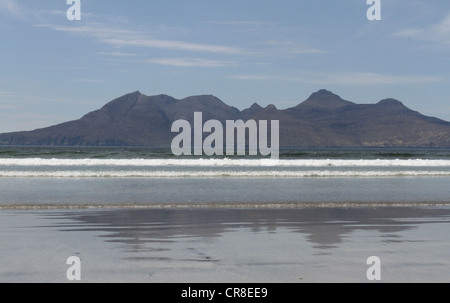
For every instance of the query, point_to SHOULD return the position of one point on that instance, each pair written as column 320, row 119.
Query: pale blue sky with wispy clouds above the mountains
column 277, row 52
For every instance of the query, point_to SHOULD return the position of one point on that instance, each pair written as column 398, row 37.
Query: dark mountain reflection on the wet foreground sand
column 325, row 228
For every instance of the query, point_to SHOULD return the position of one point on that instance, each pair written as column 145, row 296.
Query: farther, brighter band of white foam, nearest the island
column 225, row 162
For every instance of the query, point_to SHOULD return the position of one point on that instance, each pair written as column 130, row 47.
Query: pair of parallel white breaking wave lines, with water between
column 220, row 168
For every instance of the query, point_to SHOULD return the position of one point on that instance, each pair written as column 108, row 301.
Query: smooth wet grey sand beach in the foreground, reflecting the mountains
column 320, row 244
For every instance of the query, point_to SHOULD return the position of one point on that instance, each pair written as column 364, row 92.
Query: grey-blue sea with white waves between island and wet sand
column 83, row 177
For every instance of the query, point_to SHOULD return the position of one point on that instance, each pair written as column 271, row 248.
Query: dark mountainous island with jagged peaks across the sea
column 323, row 120
